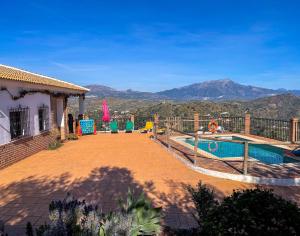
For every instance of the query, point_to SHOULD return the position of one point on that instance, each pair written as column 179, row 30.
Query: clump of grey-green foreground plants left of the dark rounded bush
column 135, row 217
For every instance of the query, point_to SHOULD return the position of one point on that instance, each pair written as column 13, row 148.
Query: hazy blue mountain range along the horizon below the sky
column 215, row 90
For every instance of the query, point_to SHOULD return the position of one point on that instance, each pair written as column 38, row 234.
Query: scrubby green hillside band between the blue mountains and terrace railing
column 275, row 107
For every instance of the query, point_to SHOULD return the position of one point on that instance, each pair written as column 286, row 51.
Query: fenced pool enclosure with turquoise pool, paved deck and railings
column 230, row 153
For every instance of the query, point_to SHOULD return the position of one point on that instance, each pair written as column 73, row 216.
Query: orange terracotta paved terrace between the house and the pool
column 100, row 169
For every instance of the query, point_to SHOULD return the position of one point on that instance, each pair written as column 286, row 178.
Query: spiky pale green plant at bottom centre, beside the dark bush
column 135, row 217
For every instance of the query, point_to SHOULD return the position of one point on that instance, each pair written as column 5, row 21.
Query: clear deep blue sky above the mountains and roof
column 154, row 45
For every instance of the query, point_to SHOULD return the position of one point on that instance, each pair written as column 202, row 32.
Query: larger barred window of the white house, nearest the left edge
column 19, row 122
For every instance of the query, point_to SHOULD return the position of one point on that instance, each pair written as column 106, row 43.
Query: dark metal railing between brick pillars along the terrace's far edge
column 270, row 128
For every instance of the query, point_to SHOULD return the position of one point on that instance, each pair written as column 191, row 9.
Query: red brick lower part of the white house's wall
column 15, row 151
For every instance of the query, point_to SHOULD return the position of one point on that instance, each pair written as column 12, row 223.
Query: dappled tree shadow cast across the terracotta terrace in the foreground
column 28, row 200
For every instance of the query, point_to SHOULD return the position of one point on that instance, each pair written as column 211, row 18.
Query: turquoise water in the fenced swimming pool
column 263, row 152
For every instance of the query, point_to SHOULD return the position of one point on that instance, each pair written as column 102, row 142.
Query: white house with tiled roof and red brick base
column 32, row 106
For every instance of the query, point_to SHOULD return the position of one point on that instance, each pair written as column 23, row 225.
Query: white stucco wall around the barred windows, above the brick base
column 33, row 101
